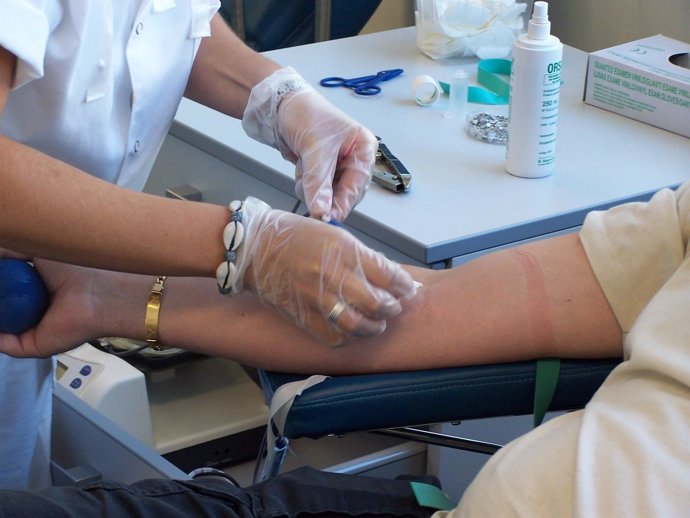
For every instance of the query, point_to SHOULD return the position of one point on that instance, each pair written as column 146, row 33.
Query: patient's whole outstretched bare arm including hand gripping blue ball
column 533, row 301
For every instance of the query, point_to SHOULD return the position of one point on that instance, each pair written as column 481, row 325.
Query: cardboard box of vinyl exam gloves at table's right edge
column 647, row 80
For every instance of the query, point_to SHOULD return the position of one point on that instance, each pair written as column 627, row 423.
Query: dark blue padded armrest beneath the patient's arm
column 344, row 404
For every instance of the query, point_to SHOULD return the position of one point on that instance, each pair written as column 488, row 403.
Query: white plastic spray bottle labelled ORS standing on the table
column 535, row 83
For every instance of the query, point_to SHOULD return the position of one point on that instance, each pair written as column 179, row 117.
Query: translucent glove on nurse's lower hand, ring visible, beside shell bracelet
column 303, row 267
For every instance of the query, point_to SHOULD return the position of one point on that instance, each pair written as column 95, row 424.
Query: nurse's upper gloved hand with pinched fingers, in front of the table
column 333, row 154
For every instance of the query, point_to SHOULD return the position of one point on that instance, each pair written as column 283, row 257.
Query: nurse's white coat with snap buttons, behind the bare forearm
column 97, row 86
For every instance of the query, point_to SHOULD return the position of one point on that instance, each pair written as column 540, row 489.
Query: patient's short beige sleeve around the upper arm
column 634, row 248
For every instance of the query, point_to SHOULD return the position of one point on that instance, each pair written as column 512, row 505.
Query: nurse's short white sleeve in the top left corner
column 24, row 31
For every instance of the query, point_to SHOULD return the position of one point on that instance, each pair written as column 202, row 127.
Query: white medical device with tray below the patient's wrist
column 194, row 410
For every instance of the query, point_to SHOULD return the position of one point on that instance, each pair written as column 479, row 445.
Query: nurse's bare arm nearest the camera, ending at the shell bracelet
column 50, row 209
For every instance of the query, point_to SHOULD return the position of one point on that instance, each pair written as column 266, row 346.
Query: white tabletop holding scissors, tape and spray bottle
column 461, row 199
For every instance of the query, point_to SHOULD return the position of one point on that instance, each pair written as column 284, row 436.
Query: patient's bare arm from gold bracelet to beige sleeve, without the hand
column 538, row 300
